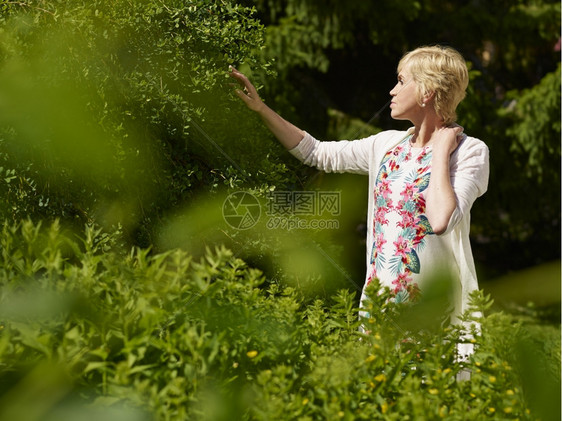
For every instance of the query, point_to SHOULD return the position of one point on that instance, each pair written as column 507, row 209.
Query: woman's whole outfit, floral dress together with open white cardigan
column 401, row 250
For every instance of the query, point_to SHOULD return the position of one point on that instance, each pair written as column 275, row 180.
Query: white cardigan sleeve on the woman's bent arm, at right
column 470, row 169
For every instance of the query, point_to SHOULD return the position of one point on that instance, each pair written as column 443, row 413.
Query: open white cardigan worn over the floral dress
column 469, row 169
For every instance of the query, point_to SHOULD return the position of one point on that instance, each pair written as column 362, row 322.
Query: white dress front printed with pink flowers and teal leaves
column 400, row 227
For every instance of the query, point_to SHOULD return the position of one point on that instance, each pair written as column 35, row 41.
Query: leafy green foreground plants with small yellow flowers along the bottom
column 89, row 329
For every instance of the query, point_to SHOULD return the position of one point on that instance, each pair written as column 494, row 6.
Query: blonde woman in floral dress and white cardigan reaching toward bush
column 422, row 182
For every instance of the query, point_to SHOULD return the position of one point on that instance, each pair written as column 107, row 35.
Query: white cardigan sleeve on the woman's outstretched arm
column 340, row 156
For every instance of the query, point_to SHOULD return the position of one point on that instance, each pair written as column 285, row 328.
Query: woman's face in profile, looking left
column 404, row 104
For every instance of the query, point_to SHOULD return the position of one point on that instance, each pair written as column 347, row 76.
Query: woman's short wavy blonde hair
column 441, row 70
